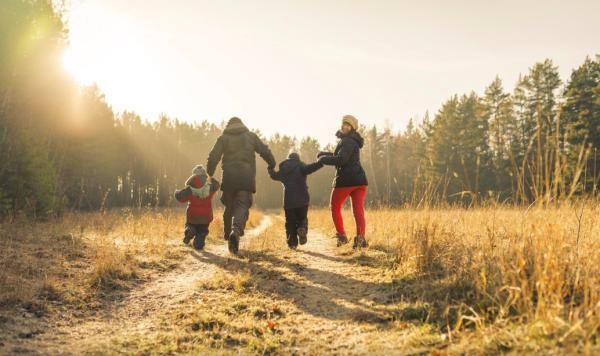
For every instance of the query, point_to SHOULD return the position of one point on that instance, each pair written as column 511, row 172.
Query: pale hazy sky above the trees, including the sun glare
column 296, row 67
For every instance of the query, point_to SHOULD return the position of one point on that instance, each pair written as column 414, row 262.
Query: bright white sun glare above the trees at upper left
column 121, row 59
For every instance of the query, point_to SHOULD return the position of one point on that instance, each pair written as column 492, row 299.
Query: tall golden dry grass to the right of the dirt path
column 483, row 268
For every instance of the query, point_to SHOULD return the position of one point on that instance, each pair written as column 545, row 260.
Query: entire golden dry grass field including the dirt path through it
column 440, row 281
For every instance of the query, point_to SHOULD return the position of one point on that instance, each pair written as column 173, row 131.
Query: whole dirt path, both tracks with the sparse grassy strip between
column 316, row 299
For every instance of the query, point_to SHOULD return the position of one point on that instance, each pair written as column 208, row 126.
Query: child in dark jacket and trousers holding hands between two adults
column 292, row 173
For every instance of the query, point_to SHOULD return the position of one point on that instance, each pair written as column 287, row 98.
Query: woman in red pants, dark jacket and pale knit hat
column 350, row 180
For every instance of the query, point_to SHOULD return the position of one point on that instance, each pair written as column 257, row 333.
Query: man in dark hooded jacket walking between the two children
column 237, row 147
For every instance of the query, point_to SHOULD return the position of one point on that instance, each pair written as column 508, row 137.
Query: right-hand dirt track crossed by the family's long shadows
column 335, row 300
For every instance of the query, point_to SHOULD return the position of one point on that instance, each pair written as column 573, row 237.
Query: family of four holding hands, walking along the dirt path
column 236, row 150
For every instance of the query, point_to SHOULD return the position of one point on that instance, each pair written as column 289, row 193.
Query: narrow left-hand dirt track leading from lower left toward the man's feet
column 134, row 314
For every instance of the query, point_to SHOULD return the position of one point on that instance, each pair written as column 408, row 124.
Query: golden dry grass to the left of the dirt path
column 78, row 255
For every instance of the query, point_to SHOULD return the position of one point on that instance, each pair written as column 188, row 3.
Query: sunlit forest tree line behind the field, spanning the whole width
column 62, row 146
